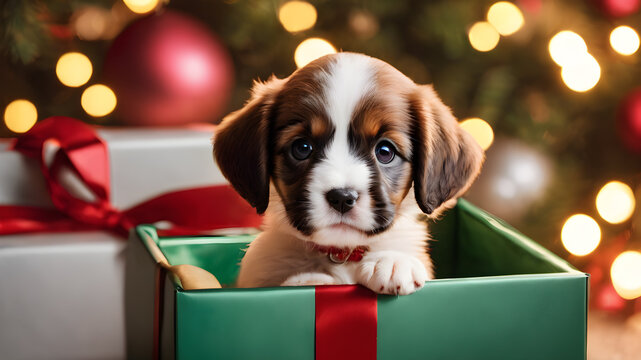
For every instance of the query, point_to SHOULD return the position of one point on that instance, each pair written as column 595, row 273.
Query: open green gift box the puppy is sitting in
column 497, row 295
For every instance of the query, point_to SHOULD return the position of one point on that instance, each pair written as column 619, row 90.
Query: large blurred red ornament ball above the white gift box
column 168, row 69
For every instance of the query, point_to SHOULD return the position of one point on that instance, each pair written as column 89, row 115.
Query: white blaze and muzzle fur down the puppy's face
column 347, row 81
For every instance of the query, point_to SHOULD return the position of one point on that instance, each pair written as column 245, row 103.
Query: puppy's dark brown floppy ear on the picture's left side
column 241, row 145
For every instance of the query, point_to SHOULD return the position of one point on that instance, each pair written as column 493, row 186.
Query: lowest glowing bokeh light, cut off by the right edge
column 626, row 274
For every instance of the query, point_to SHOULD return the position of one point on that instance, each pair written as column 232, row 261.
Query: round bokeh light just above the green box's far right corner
column 580, row 234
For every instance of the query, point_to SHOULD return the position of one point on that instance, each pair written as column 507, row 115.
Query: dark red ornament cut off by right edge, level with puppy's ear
column 629, row 121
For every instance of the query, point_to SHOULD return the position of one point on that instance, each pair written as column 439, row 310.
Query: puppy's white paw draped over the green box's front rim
column 393, row 273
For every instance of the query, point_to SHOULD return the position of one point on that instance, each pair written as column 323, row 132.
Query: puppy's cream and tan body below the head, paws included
column 395, row 261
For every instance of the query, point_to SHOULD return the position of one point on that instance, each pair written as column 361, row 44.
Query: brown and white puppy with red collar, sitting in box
column 342, row 157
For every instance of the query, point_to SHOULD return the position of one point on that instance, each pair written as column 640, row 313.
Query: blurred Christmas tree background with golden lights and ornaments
column 552, row 90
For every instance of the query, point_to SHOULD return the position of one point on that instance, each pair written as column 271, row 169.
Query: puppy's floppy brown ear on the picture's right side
column 446, row 159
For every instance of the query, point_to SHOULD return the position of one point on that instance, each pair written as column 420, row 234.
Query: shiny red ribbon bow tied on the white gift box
column 82, row 152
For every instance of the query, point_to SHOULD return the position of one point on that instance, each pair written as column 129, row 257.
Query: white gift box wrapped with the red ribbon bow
column 62, row 294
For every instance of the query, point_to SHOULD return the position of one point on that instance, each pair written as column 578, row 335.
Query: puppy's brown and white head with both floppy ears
column 343, row 140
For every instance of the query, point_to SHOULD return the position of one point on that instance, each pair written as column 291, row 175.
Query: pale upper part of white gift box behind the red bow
column 170, row 159
